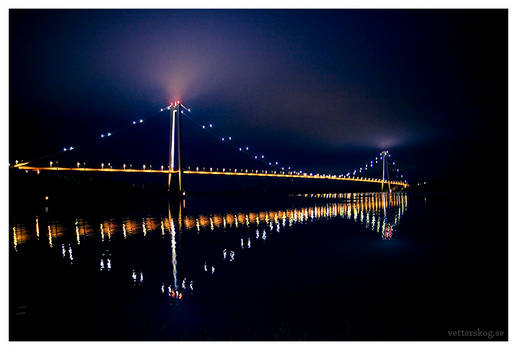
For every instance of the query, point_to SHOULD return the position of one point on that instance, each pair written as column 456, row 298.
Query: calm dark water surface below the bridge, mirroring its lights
column 327, row 266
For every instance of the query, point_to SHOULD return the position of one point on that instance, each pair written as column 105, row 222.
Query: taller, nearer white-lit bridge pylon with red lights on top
column 175, row 146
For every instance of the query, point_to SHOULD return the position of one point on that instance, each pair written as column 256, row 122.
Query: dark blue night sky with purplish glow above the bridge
column 322, row 89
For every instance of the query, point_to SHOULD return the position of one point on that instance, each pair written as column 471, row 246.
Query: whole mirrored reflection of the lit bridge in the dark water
column 189, row 237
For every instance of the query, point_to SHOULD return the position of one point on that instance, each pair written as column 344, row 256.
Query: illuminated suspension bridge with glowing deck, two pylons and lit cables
column 175, row 168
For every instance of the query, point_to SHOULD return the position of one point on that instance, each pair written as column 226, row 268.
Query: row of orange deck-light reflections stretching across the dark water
column 367, row 208
